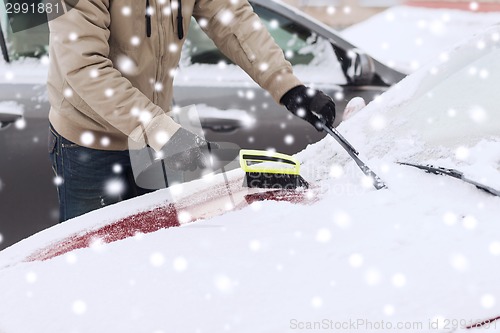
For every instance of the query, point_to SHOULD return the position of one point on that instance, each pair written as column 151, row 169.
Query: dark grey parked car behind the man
column 321, row 58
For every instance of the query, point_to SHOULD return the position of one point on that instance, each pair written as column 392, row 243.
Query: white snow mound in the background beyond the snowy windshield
column 422, row 34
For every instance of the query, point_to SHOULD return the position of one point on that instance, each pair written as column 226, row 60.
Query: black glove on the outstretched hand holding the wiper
column 311, row 105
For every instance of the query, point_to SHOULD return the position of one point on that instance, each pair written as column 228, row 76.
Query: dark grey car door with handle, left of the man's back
column 28, row 197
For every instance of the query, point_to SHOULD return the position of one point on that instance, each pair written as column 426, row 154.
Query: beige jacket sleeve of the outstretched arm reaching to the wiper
column 239, row 34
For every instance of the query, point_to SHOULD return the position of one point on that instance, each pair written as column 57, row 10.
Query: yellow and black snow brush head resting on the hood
column 264, row 169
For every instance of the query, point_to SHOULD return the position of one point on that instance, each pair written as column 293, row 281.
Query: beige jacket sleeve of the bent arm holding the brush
column 79, row 42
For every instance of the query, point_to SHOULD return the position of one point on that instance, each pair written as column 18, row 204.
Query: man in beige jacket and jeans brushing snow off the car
column 110, row 80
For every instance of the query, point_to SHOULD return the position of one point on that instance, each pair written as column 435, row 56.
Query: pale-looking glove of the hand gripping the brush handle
column 187, row 151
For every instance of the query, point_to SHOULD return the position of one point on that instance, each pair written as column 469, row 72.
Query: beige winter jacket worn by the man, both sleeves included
column 108, row 80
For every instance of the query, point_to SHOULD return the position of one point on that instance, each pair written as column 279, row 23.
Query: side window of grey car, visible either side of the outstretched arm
column 296, row 41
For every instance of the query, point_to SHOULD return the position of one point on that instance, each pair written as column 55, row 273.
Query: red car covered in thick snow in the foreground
column 419, row 256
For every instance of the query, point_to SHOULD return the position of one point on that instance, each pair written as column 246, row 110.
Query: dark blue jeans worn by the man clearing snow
column 88, row 179
